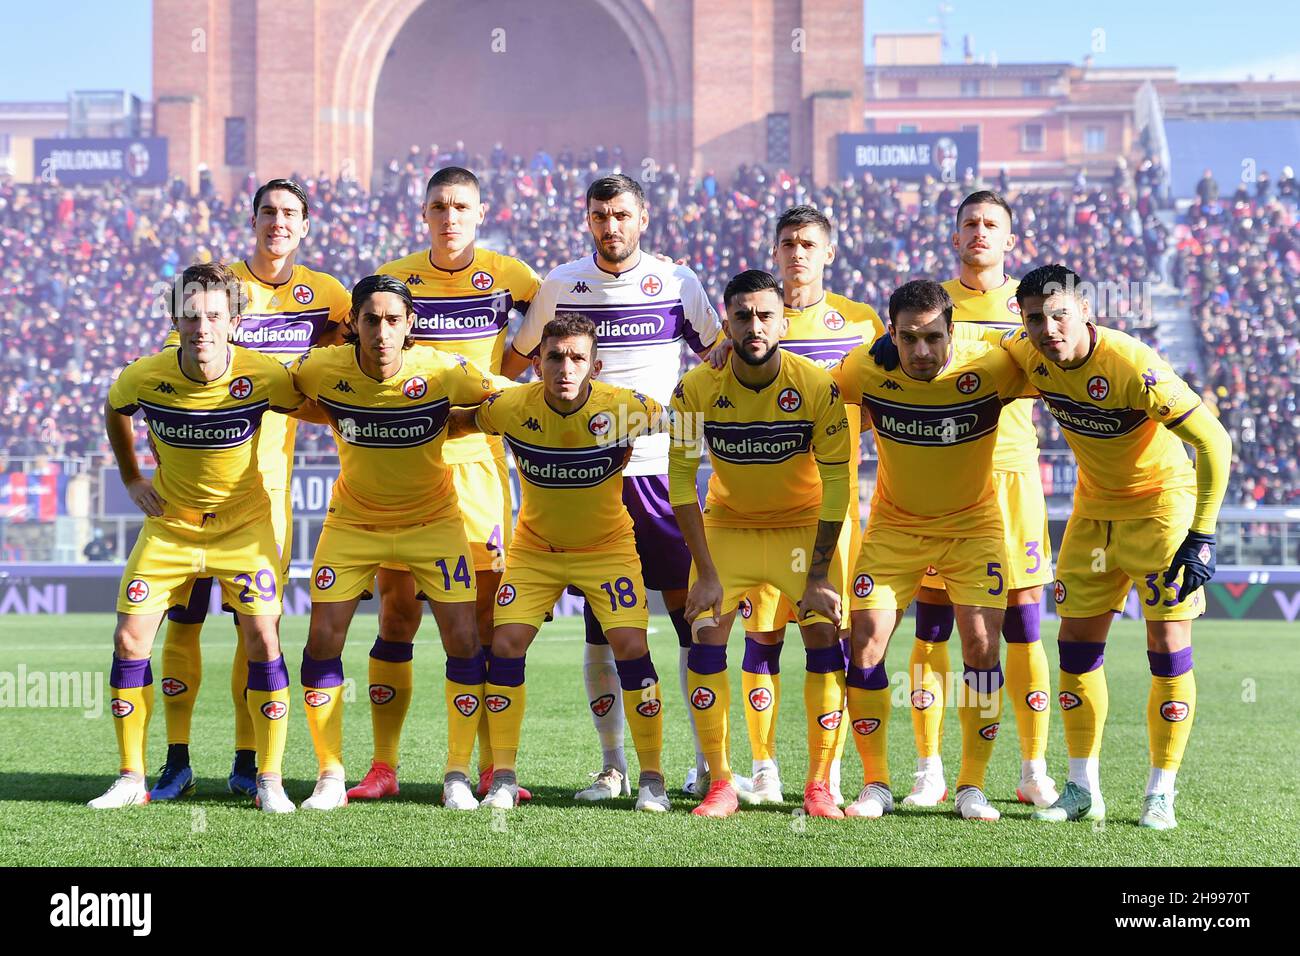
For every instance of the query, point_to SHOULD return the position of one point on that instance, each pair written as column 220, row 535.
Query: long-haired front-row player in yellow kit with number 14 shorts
column 395, row 501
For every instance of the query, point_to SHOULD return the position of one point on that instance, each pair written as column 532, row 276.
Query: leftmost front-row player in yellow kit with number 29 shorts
column 207, row 512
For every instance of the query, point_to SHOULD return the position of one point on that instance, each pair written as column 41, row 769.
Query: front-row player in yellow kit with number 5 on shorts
column 935, row 418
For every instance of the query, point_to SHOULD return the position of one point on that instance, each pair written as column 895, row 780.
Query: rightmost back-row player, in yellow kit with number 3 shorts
column 985, row 299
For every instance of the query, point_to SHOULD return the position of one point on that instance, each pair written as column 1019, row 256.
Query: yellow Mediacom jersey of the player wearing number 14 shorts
column 391, row 434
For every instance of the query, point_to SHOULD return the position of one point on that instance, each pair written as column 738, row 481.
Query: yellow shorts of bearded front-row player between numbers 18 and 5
column 752, row 559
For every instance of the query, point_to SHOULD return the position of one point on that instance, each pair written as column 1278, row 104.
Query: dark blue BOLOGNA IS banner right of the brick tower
column 909, row 157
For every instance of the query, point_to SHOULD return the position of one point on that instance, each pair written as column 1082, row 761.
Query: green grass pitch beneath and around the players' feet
column 1237, row 804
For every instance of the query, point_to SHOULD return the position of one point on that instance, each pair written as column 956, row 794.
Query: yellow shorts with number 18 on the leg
column 610, row 581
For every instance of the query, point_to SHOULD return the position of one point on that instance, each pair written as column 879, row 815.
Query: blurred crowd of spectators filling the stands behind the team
column 80, row 270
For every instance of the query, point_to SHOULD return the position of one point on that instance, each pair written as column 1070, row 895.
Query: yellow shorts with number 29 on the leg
column 237, row 548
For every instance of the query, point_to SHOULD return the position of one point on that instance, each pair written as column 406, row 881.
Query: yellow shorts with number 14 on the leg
column 348, row 556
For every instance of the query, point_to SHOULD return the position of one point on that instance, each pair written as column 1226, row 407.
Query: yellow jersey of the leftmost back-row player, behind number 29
column 284, row 322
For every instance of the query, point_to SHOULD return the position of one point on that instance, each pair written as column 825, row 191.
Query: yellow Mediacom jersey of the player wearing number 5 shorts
column 935, row 439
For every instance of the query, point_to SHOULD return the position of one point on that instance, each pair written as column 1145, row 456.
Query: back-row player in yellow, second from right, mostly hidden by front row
column 824, row 327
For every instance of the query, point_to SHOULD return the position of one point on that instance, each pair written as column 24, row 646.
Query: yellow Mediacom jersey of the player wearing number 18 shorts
column 570, row 466
